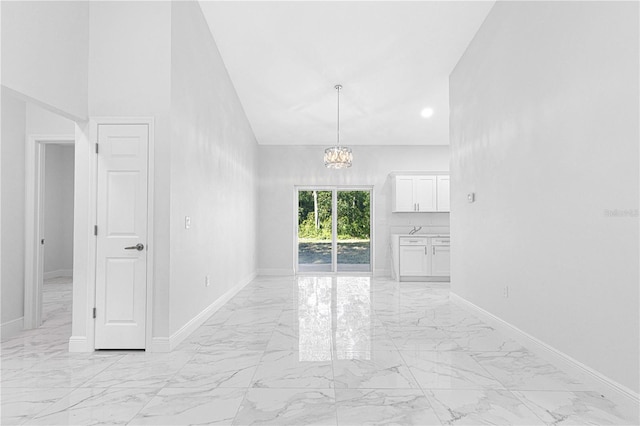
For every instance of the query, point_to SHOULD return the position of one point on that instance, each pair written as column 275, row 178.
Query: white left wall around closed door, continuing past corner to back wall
column 158, row 59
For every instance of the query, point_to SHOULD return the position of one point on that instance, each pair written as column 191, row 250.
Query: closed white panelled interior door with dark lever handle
column 121, row 255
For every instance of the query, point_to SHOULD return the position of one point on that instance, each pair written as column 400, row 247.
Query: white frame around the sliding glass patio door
column 334, row 226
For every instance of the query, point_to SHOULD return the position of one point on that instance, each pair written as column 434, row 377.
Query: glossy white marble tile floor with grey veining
column 297, row 351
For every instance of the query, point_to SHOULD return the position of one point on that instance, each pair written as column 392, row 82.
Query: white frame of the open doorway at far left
column 34, row 223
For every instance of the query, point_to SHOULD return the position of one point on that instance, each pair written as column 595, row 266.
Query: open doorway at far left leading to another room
column 49, row 239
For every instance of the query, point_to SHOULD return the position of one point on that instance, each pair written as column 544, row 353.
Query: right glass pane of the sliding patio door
column 353, row 231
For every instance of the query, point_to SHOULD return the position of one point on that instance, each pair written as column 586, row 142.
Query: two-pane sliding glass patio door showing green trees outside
column 333, row 230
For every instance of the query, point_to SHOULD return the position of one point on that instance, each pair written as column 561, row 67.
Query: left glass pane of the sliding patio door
column 315, row 237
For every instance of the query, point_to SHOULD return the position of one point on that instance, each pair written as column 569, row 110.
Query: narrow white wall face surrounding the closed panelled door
column 130, row 76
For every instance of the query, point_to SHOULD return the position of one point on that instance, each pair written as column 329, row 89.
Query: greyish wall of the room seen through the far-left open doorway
column 58, row 210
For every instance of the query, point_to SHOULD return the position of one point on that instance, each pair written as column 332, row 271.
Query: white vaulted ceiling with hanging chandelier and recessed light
column 392, row 58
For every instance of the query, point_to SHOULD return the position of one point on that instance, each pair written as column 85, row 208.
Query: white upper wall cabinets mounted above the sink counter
column 420, row 193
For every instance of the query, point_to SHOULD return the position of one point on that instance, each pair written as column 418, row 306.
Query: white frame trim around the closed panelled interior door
column 94, row 123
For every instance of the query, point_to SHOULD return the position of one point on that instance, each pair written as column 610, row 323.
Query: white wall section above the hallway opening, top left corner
column 44, row 53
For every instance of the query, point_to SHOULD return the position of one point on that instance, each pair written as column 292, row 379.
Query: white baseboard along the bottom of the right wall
column 549, row 353
